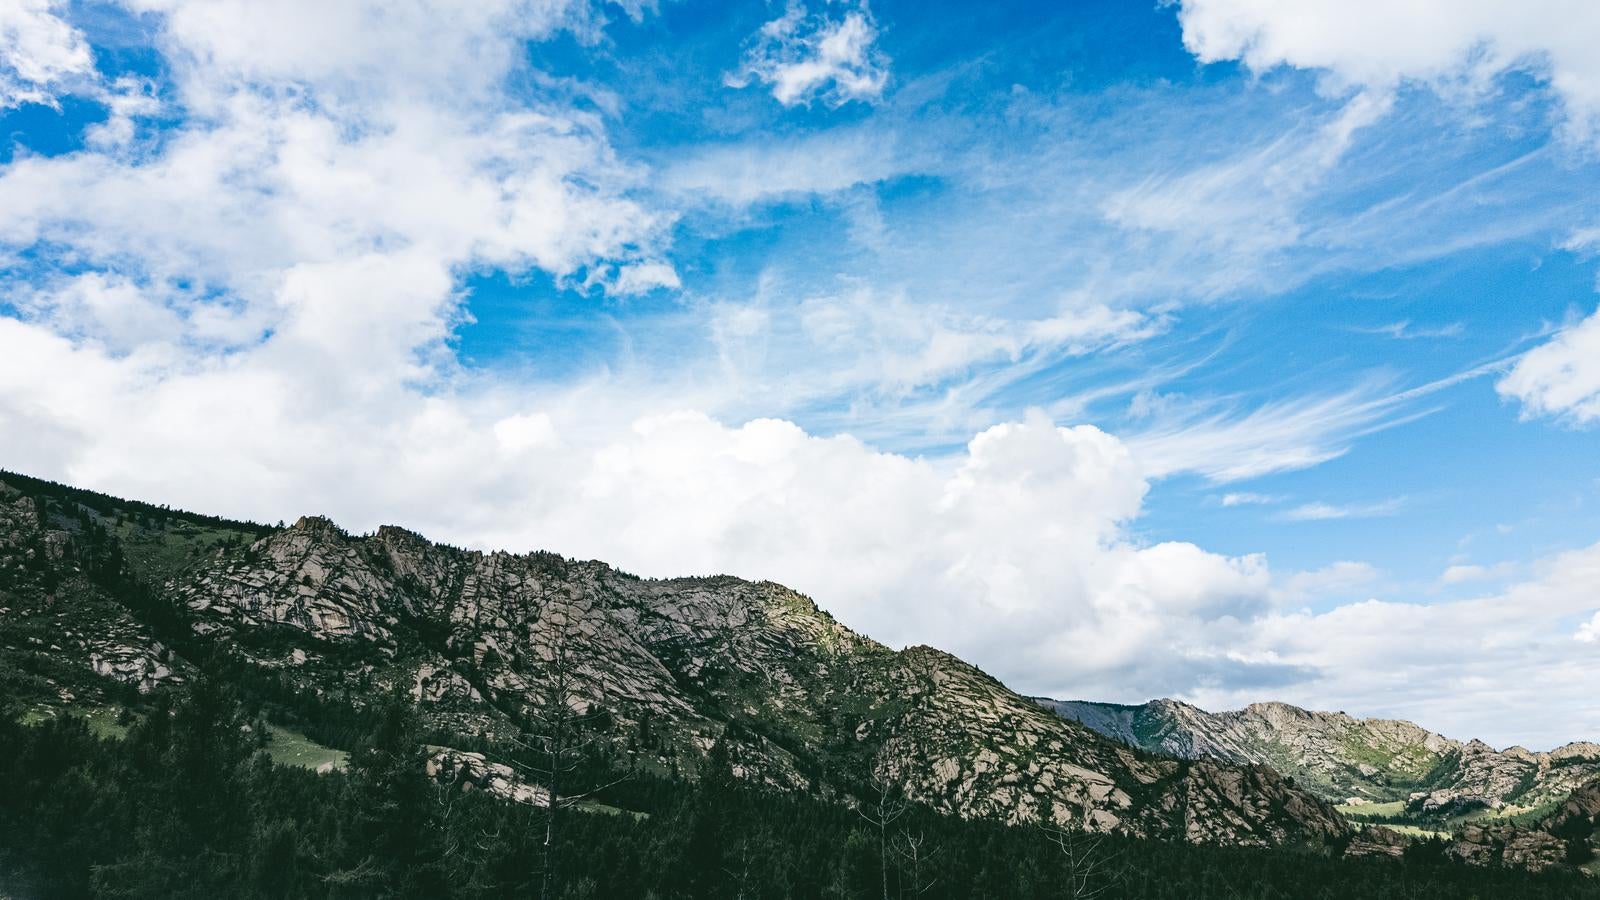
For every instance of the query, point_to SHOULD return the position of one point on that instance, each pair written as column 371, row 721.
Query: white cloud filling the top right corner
column 1378, row 46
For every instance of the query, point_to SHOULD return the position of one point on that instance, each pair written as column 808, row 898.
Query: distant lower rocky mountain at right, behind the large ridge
column 1351, row 761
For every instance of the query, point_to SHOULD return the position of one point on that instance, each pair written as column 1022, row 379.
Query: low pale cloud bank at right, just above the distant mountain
column 1490, row 667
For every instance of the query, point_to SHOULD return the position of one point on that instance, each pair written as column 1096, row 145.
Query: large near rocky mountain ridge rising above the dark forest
column 105, row 601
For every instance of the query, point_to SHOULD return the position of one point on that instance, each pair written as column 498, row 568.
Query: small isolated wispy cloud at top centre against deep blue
column 806, row 57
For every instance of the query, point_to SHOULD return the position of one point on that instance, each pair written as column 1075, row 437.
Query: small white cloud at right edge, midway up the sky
column 1561, row 379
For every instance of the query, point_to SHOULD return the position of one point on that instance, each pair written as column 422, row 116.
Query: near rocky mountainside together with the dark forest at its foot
column 700, row 737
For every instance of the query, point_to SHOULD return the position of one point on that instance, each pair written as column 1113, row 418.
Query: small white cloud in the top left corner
column 39, row 54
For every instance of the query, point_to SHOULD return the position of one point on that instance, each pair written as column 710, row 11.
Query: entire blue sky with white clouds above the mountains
column 1214, row 350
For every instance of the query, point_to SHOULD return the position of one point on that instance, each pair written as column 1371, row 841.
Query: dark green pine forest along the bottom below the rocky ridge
column 185, row 805
